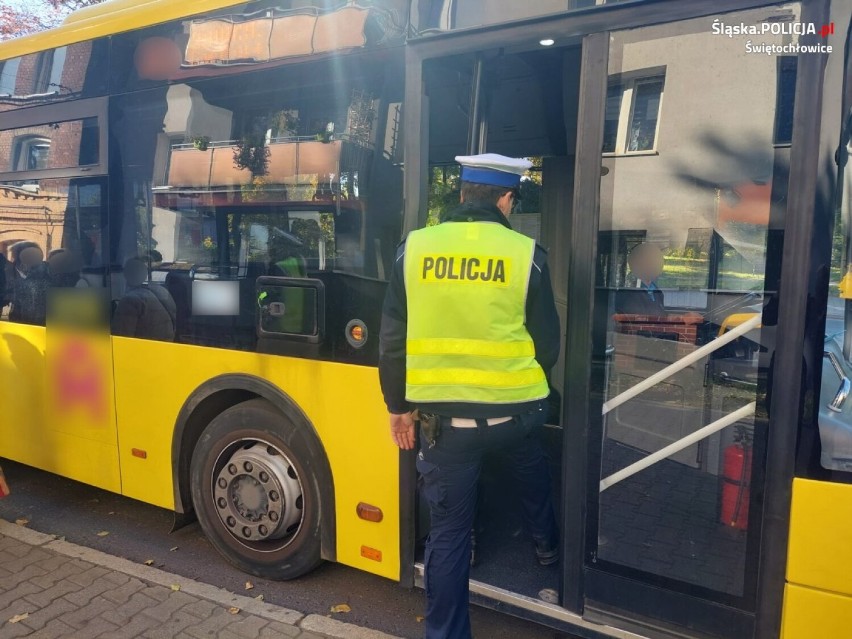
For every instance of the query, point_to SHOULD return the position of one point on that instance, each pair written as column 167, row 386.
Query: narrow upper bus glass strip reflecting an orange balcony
column 264, row 34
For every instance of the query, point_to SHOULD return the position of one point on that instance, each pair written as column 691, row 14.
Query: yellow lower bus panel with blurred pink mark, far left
column 57, row 403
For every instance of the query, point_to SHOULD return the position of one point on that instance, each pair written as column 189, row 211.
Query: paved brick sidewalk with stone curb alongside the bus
column 51, row 588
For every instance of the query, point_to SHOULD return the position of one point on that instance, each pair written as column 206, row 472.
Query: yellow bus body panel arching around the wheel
column 342, row 401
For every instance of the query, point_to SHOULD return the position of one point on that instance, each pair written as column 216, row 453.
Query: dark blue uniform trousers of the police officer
column 449, row 474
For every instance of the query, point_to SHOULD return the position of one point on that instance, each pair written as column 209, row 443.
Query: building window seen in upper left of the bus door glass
column 632, row 114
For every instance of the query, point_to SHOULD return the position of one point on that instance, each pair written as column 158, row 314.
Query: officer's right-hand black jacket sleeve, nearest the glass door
column 542, row 321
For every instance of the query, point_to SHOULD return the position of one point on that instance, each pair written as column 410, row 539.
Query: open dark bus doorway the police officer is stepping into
column 519, row 103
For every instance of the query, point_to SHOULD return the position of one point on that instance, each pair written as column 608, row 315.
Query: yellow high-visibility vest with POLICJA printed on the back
column 466, row 288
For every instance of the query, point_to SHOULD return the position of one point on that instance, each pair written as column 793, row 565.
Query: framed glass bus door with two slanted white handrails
column 683, row 173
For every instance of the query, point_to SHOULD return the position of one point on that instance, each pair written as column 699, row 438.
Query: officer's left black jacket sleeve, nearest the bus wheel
column 392, row 339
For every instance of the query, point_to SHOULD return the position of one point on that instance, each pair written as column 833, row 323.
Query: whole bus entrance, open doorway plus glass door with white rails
column 662, row 439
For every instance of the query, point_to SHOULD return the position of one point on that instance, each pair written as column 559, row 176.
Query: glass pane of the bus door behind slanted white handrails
column 689, row 255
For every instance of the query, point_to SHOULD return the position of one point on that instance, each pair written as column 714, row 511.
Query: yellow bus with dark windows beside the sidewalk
column 200, row 204
